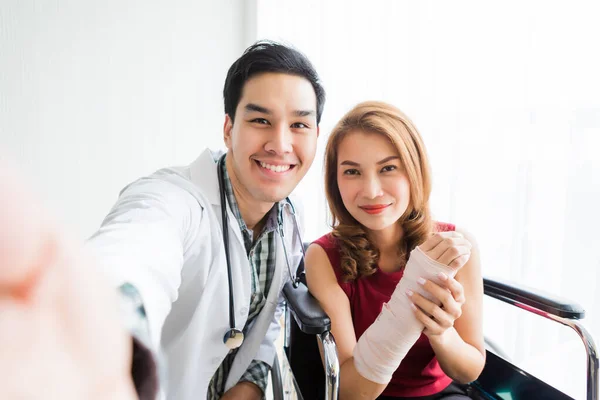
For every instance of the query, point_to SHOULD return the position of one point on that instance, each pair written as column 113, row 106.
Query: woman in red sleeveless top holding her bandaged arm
column 394, row 284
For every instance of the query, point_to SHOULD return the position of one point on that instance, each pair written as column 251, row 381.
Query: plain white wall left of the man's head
column 94, row 94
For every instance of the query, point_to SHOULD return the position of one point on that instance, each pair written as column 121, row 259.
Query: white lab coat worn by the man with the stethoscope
column 164, row 237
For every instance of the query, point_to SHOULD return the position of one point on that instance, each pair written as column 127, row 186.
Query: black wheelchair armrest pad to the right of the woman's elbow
column 513, row 293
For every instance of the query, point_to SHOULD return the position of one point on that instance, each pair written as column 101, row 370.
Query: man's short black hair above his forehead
column 268, row 56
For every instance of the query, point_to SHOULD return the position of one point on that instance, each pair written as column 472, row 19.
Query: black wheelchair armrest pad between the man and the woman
column 307, row 312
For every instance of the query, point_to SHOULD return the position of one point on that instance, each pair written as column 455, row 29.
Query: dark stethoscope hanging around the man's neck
column 234, row 337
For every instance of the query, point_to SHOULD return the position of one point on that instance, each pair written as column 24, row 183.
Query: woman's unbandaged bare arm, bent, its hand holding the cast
column 458, row 343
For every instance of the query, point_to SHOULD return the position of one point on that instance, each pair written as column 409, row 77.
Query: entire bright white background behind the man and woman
column 506, row 95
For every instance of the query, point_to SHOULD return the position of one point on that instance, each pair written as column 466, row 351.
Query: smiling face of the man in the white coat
column 273, row 140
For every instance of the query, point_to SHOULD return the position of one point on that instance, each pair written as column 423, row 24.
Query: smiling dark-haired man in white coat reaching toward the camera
column 201, row 307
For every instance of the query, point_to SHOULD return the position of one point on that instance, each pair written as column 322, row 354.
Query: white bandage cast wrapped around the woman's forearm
column 385, row 343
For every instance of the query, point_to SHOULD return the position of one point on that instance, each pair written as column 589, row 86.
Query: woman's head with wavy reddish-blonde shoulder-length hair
column 375, row 156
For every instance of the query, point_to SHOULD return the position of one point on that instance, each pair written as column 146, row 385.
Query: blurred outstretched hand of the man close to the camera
column 60, row 332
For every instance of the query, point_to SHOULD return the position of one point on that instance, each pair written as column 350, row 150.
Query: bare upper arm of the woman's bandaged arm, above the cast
column 323, row 285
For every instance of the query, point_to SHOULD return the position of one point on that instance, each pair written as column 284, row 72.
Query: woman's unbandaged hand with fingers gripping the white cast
column 438, row 319
